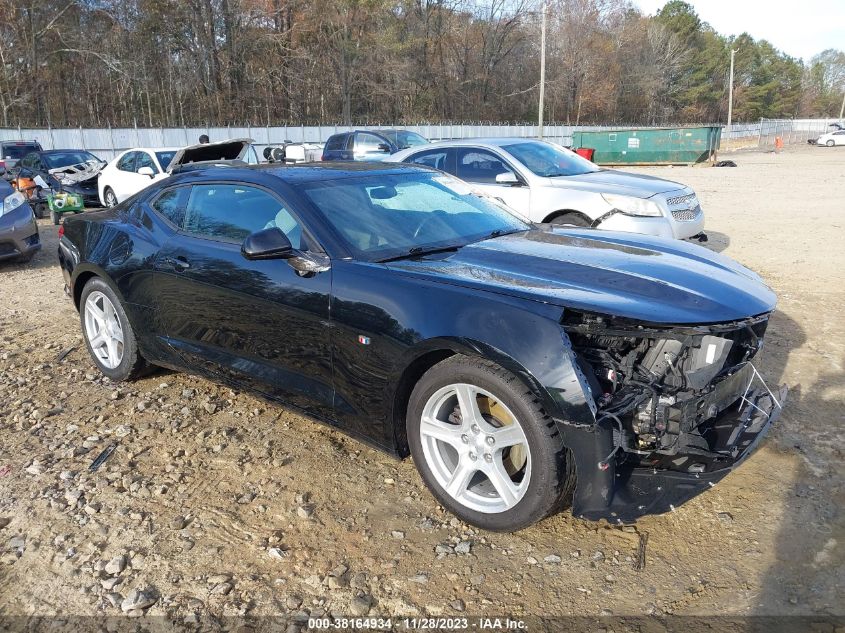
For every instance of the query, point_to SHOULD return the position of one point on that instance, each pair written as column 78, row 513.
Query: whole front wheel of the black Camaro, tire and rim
column 484, row 446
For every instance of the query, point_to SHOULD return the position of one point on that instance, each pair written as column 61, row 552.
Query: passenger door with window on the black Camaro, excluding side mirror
column 258, row 323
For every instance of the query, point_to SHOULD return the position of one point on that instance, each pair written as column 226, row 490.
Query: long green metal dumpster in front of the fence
column 651, row 146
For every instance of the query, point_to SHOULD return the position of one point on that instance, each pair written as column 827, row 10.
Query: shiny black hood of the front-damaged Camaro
column 638, row 277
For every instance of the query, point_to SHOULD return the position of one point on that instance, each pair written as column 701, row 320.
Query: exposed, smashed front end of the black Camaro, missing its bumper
column 676, row 408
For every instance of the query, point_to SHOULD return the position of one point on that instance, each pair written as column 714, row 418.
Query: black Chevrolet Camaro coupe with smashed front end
column 525, row 368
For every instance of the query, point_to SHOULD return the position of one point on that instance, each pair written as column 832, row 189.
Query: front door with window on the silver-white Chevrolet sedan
column 481, row 166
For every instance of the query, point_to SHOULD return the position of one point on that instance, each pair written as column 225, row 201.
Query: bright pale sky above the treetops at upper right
column 800, row 29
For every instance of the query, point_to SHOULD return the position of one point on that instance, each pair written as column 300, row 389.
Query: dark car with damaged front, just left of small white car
column 69, row 170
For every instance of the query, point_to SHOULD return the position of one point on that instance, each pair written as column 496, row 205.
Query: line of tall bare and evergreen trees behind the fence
column 196, row 62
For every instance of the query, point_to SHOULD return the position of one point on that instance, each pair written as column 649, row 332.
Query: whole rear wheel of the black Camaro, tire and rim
column 108, row 334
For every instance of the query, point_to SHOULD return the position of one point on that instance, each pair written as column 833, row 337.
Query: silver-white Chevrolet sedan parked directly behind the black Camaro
column 548, row 183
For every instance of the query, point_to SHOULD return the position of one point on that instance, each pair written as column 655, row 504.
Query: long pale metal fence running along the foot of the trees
column 108, row 142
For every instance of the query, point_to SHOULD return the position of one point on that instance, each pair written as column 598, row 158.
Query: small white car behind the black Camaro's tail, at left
column 131, row 171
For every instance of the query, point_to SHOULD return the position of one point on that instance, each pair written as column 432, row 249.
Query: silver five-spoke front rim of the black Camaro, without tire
column 476, row 448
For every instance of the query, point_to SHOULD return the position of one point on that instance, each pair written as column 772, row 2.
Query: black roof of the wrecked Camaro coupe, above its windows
column 308, row 172
